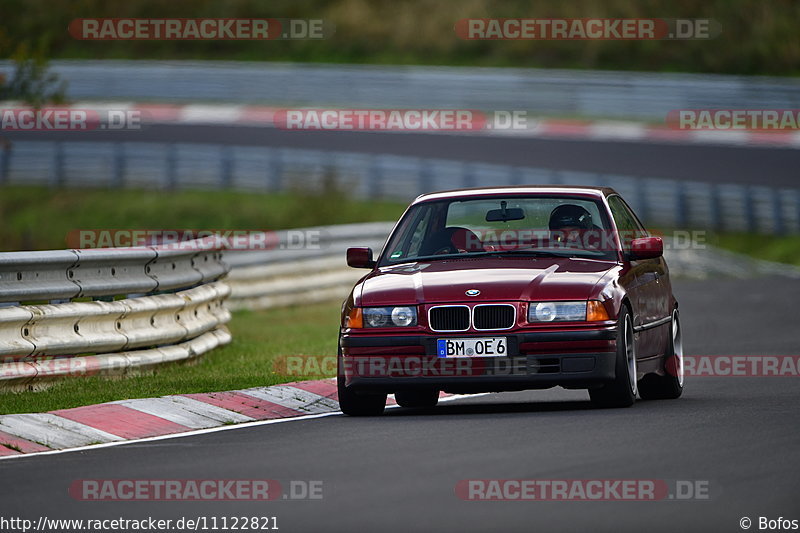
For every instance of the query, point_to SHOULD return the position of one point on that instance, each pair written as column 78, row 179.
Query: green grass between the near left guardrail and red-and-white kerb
column 248, row 361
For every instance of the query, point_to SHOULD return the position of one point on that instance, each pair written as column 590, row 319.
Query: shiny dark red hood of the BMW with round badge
column 497, row 279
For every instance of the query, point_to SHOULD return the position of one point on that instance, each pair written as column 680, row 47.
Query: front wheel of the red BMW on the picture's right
column 622, row 391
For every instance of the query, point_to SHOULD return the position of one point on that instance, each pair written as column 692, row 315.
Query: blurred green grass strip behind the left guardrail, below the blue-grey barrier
column 39, row 218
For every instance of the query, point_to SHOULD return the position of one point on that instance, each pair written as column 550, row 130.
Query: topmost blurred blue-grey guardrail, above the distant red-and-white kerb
column 573, row 92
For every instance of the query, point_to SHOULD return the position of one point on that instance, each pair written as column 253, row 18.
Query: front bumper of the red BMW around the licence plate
column 540, row 359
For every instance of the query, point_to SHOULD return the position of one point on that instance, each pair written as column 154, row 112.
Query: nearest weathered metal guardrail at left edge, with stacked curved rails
column 170, row 309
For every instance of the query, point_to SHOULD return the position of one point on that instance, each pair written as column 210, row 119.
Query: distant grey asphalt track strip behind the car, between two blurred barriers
column 762, row 165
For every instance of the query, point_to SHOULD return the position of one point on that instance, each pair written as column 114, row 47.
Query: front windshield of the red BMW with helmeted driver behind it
column 502, row 226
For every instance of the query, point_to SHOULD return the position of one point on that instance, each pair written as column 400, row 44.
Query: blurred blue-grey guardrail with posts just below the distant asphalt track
column 660, row 202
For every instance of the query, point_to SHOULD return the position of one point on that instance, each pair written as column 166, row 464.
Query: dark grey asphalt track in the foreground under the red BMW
column 398, row 472
